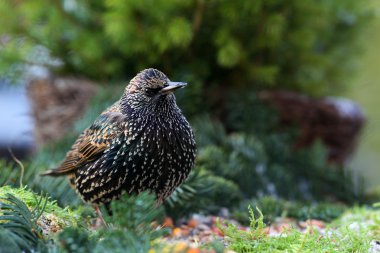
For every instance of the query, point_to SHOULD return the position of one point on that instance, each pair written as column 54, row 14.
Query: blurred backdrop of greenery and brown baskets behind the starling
column 282, row 94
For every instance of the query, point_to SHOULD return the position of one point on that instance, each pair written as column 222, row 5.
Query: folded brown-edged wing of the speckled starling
column 91, row 144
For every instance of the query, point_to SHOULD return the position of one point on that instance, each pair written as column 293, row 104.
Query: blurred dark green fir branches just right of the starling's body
column 267, row 164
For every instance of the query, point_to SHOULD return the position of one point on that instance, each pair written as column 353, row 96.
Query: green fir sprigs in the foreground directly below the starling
column 129, row 228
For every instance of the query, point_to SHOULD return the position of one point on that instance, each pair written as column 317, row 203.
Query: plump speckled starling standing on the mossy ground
column 141, row 143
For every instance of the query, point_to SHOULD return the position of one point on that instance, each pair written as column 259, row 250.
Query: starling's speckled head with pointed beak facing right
column 151, row 84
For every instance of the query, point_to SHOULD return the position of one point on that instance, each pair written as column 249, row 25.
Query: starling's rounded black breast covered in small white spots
column 160, row 155
